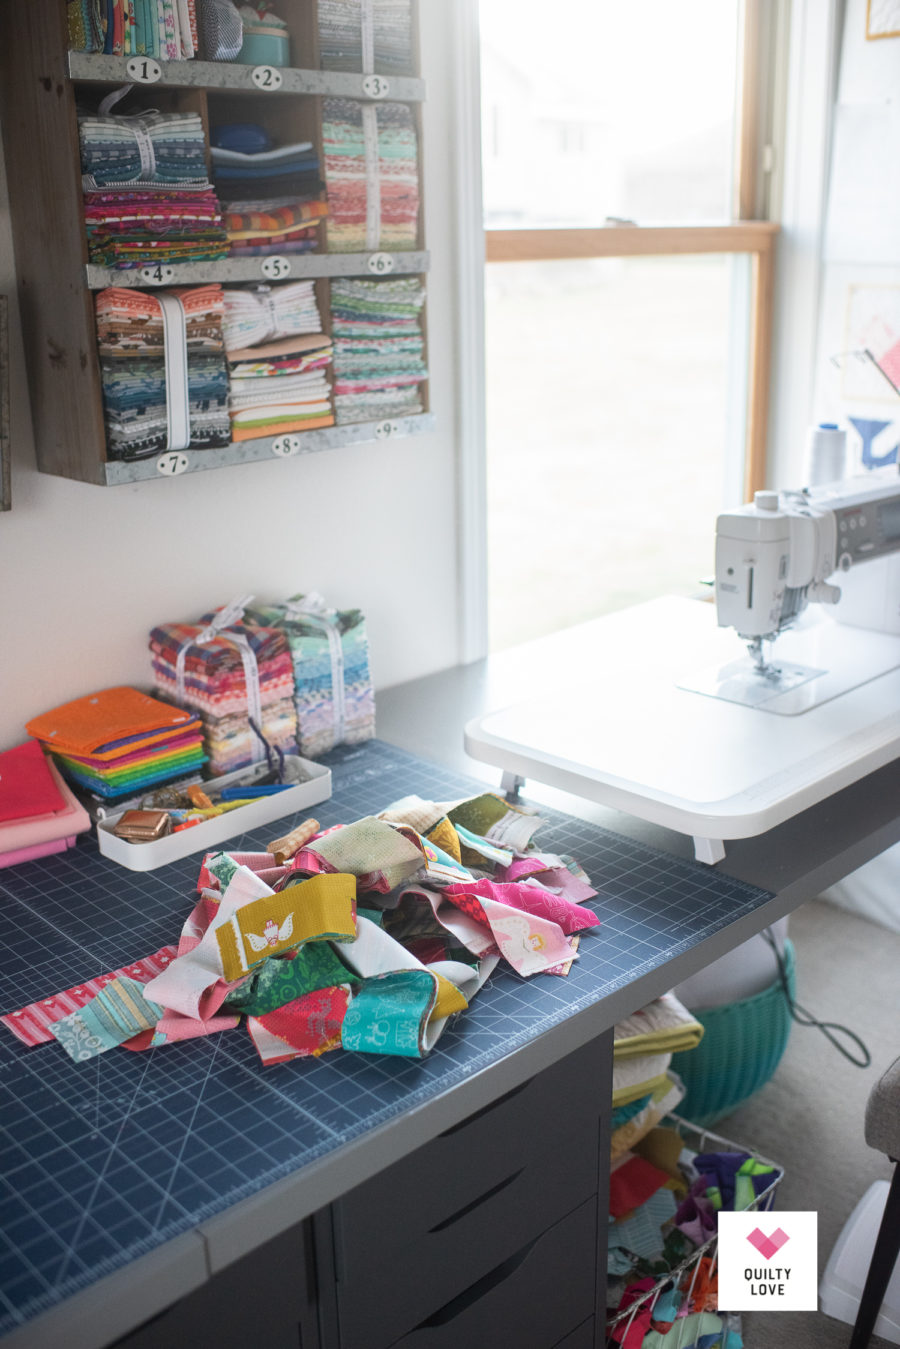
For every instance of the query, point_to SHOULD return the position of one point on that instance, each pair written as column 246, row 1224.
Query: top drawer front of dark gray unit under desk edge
column 553, row 1114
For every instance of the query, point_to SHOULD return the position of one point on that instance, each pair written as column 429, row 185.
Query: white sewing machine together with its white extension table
column 625, row 726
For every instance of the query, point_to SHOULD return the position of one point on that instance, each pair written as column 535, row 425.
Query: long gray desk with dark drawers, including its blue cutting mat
column 149, row 1199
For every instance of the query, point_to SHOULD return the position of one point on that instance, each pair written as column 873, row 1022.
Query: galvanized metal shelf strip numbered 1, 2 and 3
column 225, row 75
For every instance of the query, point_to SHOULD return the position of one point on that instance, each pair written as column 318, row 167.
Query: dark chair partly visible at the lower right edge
column 883, row 1134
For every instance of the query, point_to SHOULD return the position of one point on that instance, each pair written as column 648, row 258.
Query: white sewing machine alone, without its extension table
column 774, row 559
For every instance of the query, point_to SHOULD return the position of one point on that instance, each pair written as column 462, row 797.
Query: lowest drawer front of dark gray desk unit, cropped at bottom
column 546, row 1288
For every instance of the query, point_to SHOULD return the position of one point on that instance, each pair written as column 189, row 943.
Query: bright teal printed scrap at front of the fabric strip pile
column 389, row 1014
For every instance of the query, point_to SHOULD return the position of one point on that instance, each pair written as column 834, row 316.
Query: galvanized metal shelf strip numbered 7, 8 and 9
column 254, row 451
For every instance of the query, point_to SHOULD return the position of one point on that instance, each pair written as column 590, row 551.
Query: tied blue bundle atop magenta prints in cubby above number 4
column 148, row 199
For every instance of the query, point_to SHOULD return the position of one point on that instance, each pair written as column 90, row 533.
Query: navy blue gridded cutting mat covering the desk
column 102, row 1162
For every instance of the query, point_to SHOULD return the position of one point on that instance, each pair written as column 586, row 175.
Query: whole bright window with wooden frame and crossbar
column 628, row 296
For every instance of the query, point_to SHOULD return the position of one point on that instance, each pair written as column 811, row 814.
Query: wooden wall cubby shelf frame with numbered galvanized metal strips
column 43, row 90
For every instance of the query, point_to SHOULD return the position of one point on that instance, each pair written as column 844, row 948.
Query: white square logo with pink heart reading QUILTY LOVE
column 759, row 1285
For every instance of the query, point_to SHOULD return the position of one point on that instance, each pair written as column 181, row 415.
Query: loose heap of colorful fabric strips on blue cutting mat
column 369, row 940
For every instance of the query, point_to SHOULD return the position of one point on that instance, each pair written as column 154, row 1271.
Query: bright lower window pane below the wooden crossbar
column 607, row 431
